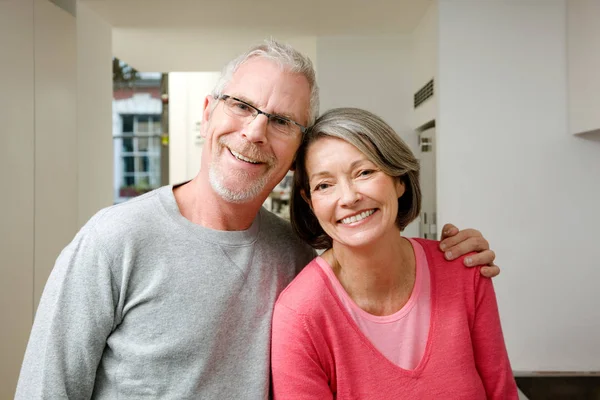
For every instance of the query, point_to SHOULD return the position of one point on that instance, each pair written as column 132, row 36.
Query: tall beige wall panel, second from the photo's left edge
column 55, row 137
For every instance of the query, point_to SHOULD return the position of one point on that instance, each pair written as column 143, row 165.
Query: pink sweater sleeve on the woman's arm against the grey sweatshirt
column 297, row 370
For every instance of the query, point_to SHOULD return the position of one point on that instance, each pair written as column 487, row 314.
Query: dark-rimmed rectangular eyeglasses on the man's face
column 237, row 108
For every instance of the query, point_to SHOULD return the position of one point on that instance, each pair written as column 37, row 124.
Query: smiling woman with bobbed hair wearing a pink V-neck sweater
column 378, row 315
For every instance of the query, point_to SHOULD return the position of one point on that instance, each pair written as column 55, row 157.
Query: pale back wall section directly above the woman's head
column 370, row 72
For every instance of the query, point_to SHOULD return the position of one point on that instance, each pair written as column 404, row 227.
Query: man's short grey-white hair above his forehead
column 288, row 58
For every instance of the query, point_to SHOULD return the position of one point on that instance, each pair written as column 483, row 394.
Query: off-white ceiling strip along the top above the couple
column 289, row 17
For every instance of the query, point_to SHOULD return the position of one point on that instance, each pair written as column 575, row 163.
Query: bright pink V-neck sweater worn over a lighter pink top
column 319, row 353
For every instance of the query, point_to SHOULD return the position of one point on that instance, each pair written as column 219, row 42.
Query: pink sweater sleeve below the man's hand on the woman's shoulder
column 491, row 357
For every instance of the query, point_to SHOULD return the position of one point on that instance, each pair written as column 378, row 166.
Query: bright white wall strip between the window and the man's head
column 187, row 91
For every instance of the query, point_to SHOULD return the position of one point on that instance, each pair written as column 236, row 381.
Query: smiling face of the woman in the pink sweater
column 355, row 202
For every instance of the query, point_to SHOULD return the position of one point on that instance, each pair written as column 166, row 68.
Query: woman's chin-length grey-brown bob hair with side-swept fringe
column 376, row 140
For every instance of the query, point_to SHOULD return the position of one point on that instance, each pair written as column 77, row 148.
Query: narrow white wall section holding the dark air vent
column 424, row 64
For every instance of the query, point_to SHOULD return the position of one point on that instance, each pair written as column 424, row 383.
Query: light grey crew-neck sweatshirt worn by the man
column 144, row 304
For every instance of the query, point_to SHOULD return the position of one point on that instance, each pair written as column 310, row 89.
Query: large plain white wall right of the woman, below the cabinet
column 506, row 165
